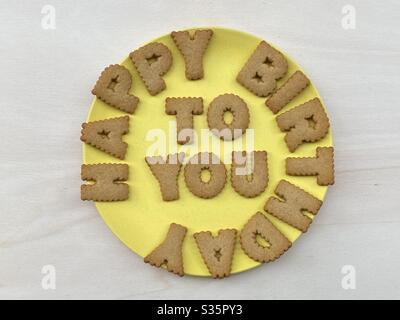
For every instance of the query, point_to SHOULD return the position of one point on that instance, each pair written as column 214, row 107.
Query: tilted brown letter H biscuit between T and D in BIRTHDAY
column 295, row 203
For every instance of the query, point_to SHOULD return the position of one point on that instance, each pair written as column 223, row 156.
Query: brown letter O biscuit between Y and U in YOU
column 198, row 163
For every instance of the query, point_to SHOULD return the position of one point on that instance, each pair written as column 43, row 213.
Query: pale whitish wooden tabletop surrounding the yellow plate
column 45, row 82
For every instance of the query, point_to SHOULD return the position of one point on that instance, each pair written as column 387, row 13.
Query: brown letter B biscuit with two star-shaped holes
column 264, row 67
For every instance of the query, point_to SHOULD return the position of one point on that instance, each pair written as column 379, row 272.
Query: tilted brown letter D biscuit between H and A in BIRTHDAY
column 260, row 226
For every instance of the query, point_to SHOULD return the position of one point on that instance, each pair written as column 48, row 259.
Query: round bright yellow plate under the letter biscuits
column 142, row 221
